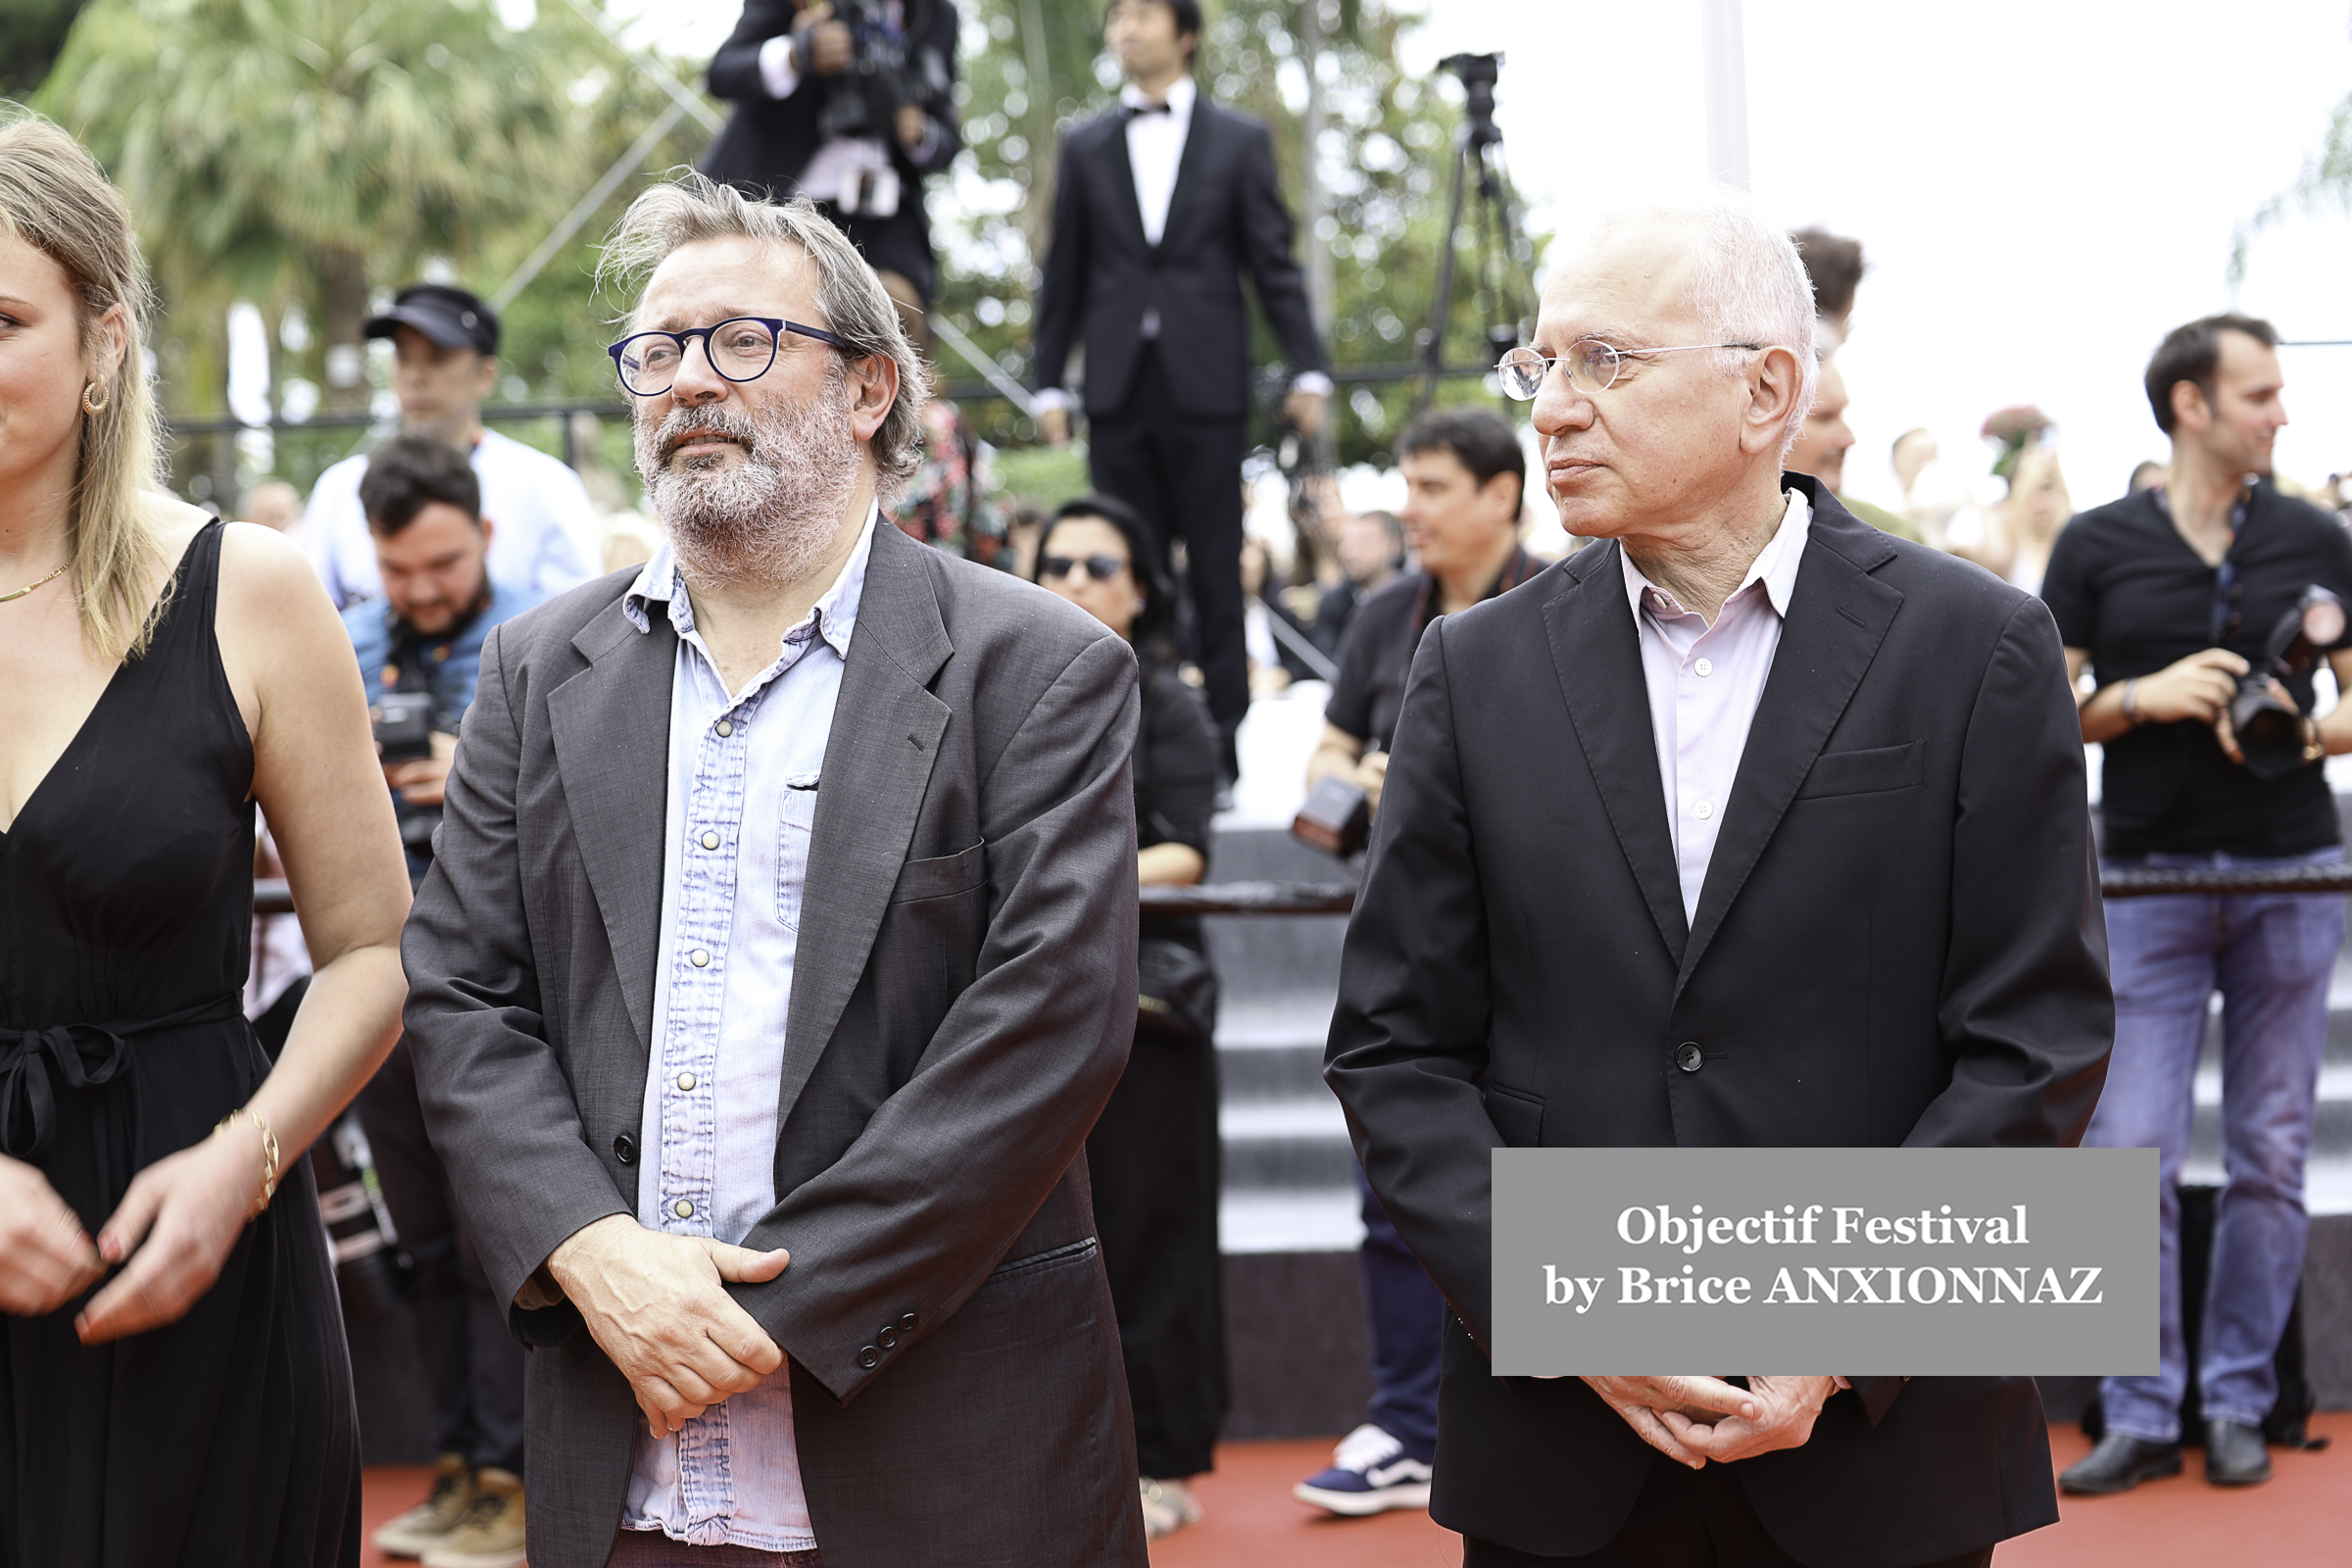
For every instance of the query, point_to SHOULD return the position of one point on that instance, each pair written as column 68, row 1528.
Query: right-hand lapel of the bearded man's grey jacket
column 878, row 765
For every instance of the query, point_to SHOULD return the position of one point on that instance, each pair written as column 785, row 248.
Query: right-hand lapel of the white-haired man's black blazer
column 1838, row 619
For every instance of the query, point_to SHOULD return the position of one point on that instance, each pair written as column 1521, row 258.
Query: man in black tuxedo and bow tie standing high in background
column 1161, row 210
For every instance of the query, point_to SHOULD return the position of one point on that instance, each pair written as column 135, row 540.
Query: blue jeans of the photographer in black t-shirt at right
column 2271, row 958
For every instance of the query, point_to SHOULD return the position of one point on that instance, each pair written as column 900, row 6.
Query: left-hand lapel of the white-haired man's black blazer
column 1598, row 657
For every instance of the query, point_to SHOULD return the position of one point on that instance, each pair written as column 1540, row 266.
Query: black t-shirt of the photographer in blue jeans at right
column 2125, row 587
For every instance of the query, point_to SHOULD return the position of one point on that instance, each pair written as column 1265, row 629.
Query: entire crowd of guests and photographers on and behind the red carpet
column 735, row 956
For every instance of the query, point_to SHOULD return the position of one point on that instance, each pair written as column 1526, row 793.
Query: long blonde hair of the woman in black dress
column 55, row 199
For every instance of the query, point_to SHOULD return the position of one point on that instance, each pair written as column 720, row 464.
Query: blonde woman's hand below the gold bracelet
column 175, row 1226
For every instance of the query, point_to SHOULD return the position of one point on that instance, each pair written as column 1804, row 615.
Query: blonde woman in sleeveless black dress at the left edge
column 173, row 1379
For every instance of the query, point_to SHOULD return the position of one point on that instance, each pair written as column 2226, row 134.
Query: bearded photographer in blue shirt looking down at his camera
column 420, row 652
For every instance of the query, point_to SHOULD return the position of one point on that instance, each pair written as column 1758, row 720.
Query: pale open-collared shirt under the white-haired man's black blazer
column 1706, row 683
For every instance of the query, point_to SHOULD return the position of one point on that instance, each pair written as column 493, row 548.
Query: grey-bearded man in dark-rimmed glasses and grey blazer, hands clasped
column 777, row 958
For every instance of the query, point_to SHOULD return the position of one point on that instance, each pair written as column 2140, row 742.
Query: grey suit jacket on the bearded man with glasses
column 963, row 1003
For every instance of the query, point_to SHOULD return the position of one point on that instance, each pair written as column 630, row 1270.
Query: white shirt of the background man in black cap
column 544, row 532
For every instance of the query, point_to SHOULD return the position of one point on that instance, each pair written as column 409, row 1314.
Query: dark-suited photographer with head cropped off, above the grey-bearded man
column 850, row 105
